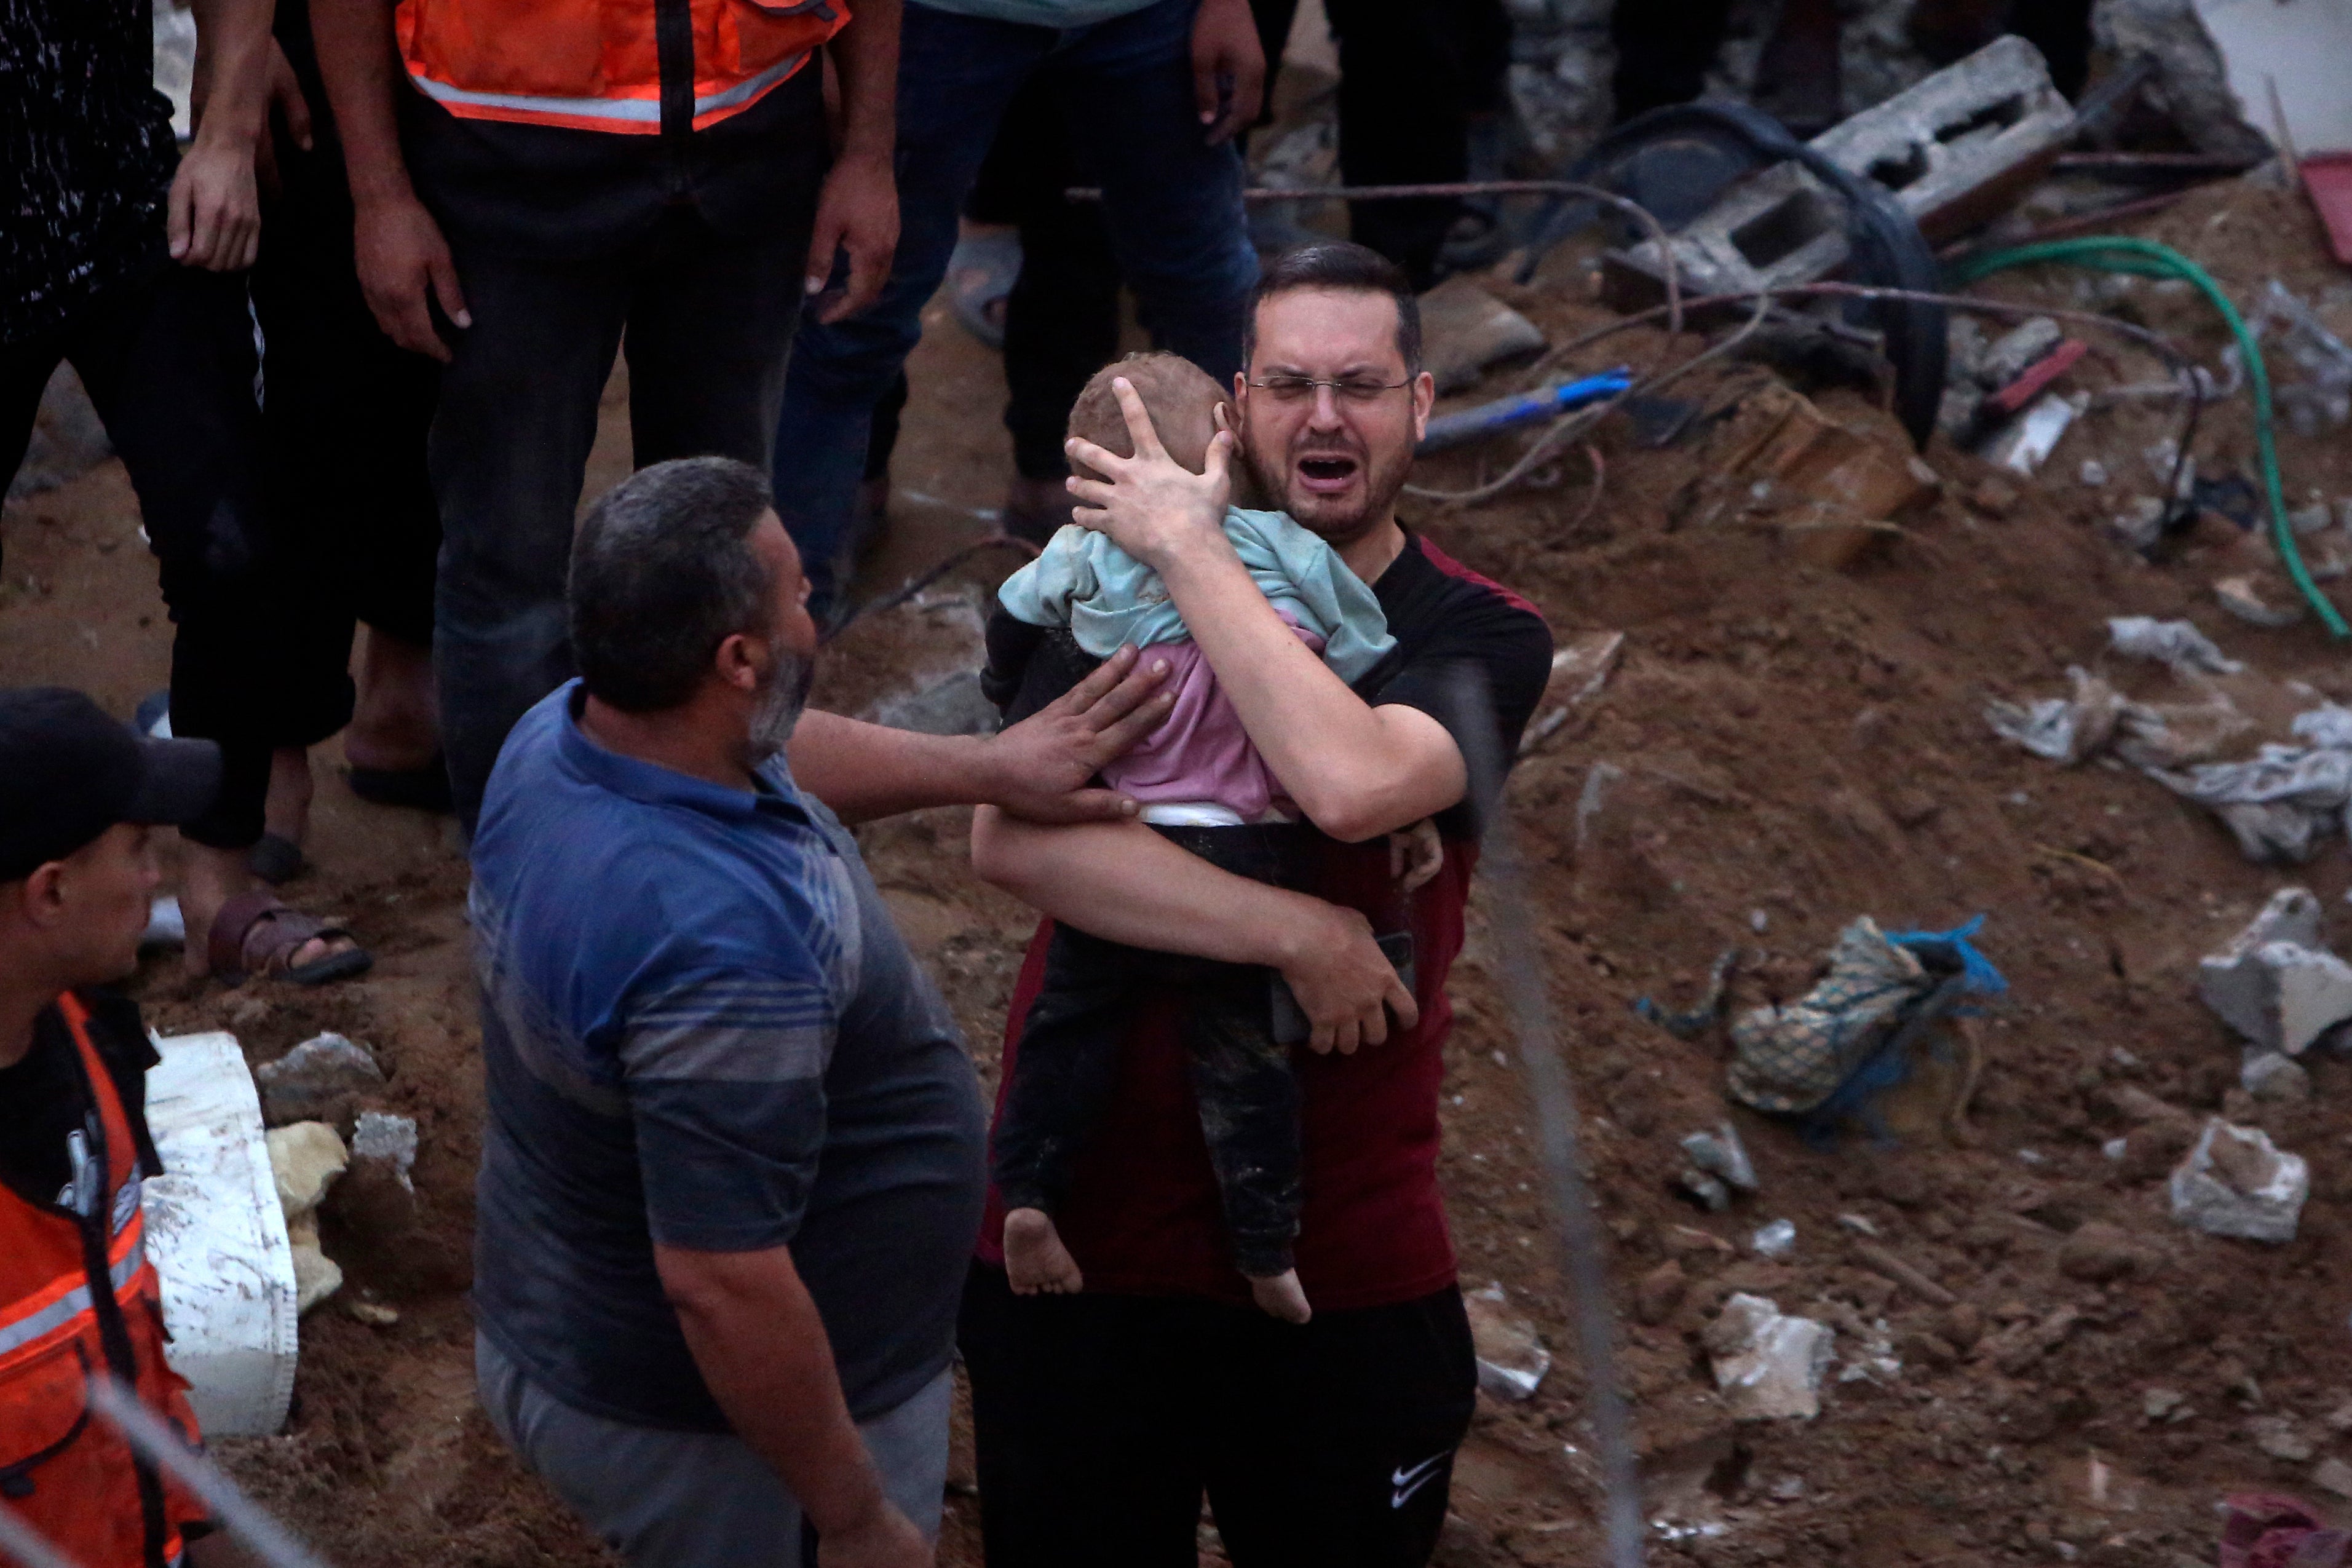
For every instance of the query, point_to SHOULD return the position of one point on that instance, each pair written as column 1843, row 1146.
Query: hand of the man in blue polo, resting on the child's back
column 1043, row 765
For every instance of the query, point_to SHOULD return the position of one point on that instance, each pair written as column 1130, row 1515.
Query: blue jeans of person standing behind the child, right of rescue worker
column 1175, row 210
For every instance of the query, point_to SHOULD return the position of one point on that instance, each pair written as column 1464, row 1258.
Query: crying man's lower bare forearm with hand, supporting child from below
column 1128, row 885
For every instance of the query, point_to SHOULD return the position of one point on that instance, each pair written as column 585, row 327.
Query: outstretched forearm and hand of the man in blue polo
column 1036, row 770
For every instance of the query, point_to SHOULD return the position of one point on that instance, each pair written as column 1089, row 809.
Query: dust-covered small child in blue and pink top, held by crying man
column 1203, row 786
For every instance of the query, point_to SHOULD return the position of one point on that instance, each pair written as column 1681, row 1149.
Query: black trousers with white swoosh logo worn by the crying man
column 1104, row 1419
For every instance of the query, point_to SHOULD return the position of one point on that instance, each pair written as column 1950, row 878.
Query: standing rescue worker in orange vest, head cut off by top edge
column 540, row 185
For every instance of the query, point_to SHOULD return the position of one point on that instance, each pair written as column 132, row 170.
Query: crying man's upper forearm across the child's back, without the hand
column 1354, row 770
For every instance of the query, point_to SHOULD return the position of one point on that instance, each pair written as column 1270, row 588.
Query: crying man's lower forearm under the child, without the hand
column 1130, row 885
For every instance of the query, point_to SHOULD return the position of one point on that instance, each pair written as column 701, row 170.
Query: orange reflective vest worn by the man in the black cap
column 79, row 1301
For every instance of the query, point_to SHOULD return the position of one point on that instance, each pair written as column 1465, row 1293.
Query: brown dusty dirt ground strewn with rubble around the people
column 1793, row 746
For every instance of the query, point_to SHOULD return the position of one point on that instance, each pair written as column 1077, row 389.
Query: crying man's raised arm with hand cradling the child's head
column 1356, row 770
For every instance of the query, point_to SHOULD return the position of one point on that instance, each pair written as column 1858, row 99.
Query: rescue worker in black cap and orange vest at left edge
column 79, row 1299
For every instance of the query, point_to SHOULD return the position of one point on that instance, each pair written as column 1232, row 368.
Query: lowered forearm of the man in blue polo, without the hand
column 763, row 1351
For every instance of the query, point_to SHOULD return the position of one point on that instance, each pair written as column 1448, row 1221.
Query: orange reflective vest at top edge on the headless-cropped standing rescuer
column 610, row 65
